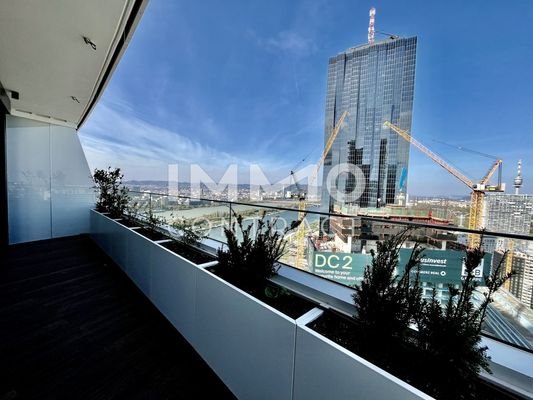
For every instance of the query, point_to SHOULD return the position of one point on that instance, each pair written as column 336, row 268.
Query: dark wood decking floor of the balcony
column 73, row 326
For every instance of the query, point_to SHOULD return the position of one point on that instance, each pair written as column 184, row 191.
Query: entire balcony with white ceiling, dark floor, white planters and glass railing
column 112, row 313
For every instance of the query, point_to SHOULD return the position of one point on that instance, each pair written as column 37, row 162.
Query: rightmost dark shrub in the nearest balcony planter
column 449, row 337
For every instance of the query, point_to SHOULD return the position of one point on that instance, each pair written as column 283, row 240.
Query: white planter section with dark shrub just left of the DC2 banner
column 244, row 322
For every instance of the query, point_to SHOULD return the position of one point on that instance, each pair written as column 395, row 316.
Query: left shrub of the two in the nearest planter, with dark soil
column 387, row 304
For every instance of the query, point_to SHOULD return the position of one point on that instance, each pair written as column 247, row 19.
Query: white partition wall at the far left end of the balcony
column 49, row 182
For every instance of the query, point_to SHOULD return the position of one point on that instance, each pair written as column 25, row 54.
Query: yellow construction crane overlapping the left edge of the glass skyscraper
column 301, row 195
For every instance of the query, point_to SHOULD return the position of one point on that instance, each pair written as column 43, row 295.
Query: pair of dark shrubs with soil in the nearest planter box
column 432, row 346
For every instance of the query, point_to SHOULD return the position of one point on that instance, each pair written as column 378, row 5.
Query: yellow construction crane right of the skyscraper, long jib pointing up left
column 478, row 189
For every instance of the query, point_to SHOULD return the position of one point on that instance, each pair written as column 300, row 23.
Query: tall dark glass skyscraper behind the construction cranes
column 374, row 83
